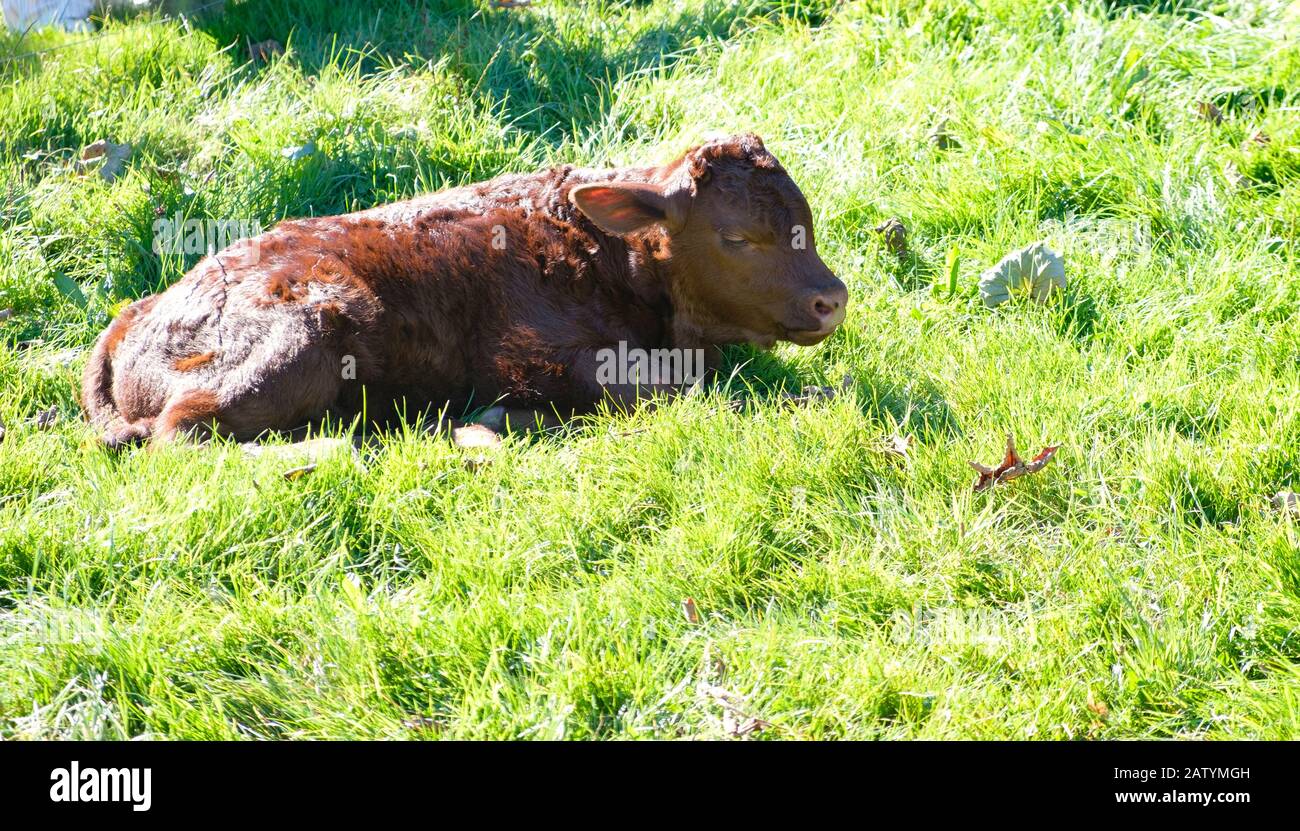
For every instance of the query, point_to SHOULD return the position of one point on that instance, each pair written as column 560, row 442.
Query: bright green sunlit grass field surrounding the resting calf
column 1142, row 586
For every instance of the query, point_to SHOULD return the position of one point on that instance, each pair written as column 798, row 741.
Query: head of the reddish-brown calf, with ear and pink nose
column 735, row 235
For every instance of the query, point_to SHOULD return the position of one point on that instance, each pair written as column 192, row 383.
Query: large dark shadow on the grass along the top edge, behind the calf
column 545, row 75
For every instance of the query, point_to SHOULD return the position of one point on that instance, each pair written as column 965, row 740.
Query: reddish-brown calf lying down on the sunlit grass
column 509, row 292
